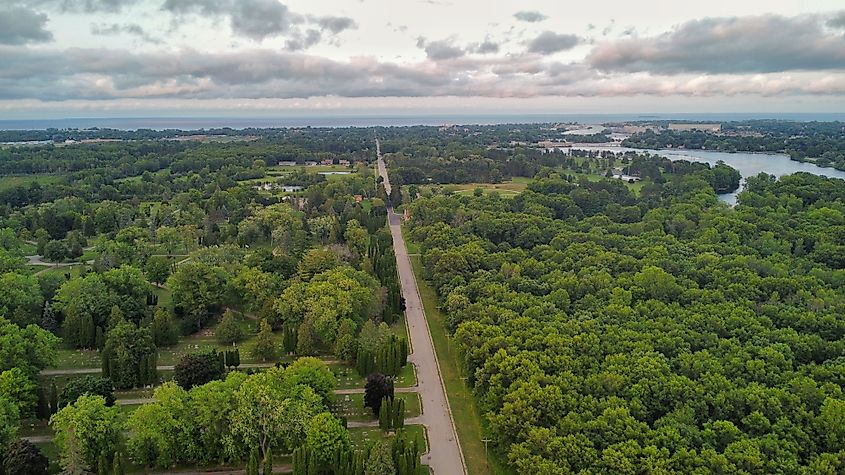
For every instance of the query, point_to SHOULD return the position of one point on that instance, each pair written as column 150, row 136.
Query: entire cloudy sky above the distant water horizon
column 75, row 58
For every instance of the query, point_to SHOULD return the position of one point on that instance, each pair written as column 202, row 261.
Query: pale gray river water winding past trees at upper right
column 748, row 164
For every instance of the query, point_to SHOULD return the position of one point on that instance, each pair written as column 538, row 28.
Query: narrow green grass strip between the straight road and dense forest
column 468, row 421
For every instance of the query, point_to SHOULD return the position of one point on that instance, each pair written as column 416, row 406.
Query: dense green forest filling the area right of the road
column 683, row 335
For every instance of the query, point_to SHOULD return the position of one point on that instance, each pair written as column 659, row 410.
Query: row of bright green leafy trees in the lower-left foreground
column 222, row 420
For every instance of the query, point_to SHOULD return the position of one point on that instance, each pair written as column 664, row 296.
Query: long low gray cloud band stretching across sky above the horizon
column 103, row 74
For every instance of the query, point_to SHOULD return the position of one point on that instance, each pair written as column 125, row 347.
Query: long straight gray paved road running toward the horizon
column 444, row 456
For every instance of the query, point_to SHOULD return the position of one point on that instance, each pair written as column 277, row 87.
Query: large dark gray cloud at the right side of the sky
column 754, row 44
